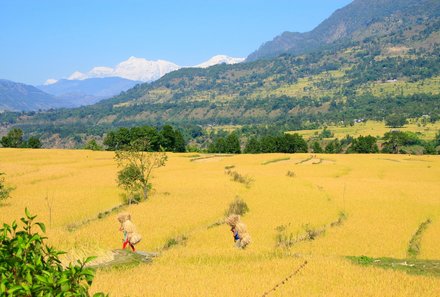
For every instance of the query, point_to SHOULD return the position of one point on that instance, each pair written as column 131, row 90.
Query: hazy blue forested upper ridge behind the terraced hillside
column 358, row 21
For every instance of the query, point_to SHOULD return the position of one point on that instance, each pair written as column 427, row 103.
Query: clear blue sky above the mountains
column 43, row 39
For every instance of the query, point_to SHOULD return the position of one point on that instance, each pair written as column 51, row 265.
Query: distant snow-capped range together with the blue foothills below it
column 82, row 89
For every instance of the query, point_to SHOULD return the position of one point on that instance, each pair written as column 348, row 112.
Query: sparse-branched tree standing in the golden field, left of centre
column 137, row 165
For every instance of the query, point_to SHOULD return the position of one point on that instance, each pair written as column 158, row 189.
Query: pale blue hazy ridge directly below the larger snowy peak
column 87, row 91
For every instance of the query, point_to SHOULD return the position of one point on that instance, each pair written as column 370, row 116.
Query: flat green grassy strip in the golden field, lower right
column 411, row 266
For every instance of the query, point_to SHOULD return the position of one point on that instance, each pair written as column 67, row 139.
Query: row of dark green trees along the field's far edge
column 248, row 139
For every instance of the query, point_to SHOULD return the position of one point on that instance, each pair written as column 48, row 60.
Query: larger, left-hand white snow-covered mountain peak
column 137, row 69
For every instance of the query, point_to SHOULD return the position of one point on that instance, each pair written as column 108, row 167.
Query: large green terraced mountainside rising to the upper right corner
column 368, row 60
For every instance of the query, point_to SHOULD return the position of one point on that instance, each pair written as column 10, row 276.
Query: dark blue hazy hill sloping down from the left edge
column 21, row 97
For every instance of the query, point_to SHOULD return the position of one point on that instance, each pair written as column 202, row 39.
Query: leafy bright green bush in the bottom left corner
column 29, row 267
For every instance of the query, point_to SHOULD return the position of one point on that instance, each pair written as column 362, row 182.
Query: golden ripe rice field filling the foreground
column 386, row 197
